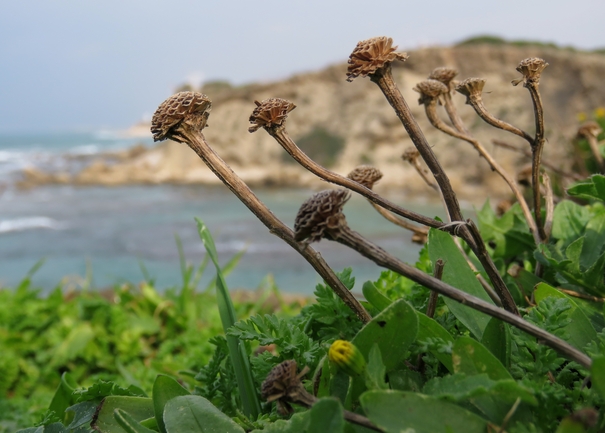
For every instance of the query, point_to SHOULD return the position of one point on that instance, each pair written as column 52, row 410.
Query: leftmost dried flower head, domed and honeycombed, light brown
column 191, row 107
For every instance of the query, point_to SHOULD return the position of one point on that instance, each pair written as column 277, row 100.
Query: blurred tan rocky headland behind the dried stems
column 356, row 120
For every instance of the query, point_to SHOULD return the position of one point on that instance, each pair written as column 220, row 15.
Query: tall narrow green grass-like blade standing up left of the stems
column 237, row 350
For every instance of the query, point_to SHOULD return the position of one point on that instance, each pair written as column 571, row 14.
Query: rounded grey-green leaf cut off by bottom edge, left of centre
column 195, row 414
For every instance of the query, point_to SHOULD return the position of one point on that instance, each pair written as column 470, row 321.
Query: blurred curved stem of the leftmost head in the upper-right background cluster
column 431, row 112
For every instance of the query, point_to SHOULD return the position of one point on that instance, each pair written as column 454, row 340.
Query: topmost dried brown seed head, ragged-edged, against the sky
column 371, row 55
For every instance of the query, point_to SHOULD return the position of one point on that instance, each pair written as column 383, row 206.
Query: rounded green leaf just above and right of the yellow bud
column 394, row 330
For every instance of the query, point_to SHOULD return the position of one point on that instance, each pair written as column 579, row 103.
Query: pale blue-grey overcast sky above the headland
column 81, row 65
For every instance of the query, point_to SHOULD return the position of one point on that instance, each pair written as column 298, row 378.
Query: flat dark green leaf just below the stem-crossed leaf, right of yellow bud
column 471, row 357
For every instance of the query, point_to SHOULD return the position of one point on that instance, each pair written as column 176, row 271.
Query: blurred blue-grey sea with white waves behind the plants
column 96, row 237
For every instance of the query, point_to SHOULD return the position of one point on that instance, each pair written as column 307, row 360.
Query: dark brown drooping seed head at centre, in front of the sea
column 321, row 212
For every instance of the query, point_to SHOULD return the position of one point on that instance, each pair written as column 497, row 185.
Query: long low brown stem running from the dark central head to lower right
column 352, row 239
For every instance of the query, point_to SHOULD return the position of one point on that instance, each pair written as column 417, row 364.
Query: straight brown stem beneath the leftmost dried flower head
column 196, row 140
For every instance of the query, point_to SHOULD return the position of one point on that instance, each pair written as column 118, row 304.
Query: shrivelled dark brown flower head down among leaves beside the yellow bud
column 283, row 384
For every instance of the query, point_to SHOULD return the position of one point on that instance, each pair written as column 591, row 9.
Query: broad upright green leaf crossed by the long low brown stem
column 458, row 274
